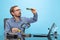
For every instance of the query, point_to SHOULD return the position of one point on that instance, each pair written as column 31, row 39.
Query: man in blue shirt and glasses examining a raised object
column 14, row 24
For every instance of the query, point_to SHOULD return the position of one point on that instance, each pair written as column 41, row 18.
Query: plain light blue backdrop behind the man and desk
column 48, row 12
